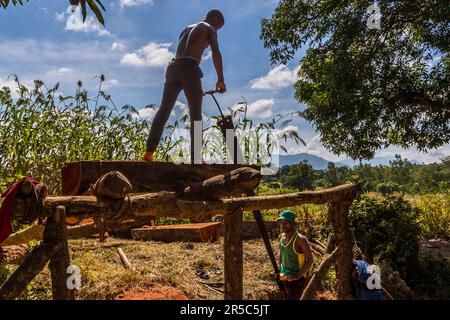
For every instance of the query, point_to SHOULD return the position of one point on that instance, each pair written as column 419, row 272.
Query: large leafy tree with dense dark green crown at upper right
column 367, row 88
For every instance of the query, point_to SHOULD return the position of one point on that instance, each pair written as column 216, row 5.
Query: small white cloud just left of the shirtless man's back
column 152, row 55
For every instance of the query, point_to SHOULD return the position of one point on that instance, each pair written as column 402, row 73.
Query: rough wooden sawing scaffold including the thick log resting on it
column 198, row 192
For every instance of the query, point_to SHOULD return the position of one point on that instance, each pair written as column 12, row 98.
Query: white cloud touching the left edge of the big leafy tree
column 279, row 77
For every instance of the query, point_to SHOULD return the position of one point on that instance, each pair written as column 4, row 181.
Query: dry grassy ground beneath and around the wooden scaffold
column 163, row 271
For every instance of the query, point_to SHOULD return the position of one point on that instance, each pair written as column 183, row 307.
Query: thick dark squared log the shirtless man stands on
column 144, row 176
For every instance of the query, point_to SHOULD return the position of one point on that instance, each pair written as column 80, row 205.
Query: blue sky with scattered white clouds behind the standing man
column 42, row 40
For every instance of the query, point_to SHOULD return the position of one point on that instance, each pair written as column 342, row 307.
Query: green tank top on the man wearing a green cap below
column 291, row 260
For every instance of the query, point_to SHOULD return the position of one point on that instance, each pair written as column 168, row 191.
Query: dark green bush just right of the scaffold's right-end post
column 386, row 228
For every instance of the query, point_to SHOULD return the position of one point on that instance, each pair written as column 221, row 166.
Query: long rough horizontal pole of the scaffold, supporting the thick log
column 167, row 204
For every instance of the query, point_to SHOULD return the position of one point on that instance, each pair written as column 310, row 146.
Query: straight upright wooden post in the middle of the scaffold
column 234, row 265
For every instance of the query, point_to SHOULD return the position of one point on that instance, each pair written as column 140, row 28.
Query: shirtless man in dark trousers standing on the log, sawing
column 184, row 73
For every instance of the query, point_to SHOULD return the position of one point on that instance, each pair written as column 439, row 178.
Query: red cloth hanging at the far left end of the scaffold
column 6, row 209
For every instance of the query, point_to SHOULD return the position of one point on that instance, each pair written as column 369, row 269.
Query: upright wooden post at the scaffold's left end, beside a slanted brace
column 55, row 232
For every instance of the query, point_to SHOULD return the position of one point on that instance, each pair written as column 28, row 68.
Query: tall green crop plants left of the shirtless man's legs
column 40, row 132
